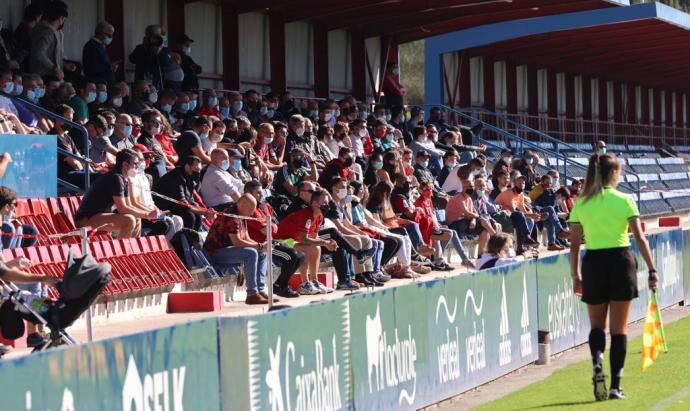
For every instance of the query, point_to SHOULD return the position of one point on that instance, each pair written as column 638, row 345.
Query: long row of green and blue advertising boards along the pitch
column 398, row 348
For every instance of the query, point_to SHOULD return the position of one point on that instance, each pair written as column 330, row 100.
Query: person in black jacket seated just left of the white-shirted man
column 179, row 184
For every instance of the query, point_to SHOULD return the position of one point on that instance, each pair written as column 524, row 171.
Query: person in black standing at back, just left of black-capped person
column 151, row 57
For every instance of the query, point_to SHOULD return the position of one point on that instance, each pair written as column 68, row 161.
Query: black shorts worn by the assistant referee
column 609, row 275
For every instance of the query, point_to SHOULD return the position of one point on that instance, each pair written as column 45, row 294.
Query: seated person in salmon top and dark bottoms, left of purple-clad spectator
column 462, row 217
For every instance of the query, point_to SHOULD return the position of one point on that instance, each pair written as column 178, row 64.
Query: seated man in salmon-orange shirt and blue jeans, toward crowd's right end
column 522, row 218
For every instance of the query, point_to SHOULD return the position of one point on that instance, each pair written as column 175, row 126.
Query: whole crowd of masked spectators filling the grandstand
column 382, row 190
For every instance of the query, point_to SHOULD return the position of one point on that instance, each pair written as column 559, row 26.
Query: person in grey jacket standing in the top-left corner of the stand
column 47, row 47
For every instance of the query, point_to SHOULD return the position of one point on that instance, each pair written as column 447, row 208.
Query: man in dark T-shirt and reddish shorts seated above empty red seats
column 111, row 191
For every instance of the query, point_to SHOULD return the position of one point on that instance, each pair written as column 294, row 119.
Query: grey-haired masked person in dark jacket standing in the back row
column 97, row 65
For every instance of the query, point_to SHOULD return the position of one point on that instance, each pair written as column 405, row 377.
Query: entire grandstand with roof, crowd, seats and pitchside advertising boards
column 237, row 205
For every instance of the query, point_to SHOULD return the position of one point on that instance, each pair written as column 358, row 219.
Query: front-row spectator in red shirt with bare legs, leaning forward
column 302, row 227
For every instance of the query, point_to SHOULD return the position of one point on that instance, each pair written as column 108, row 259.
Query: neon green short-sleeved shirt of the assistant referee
column 604, row 219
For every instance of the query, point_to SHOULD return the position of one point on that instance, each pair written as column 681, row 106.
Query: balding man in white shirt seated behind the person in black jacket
column 218, row 187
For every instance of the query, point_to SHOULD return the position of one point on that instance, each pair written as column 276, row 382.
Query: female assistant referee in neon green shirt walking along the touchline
column 607, row 279
